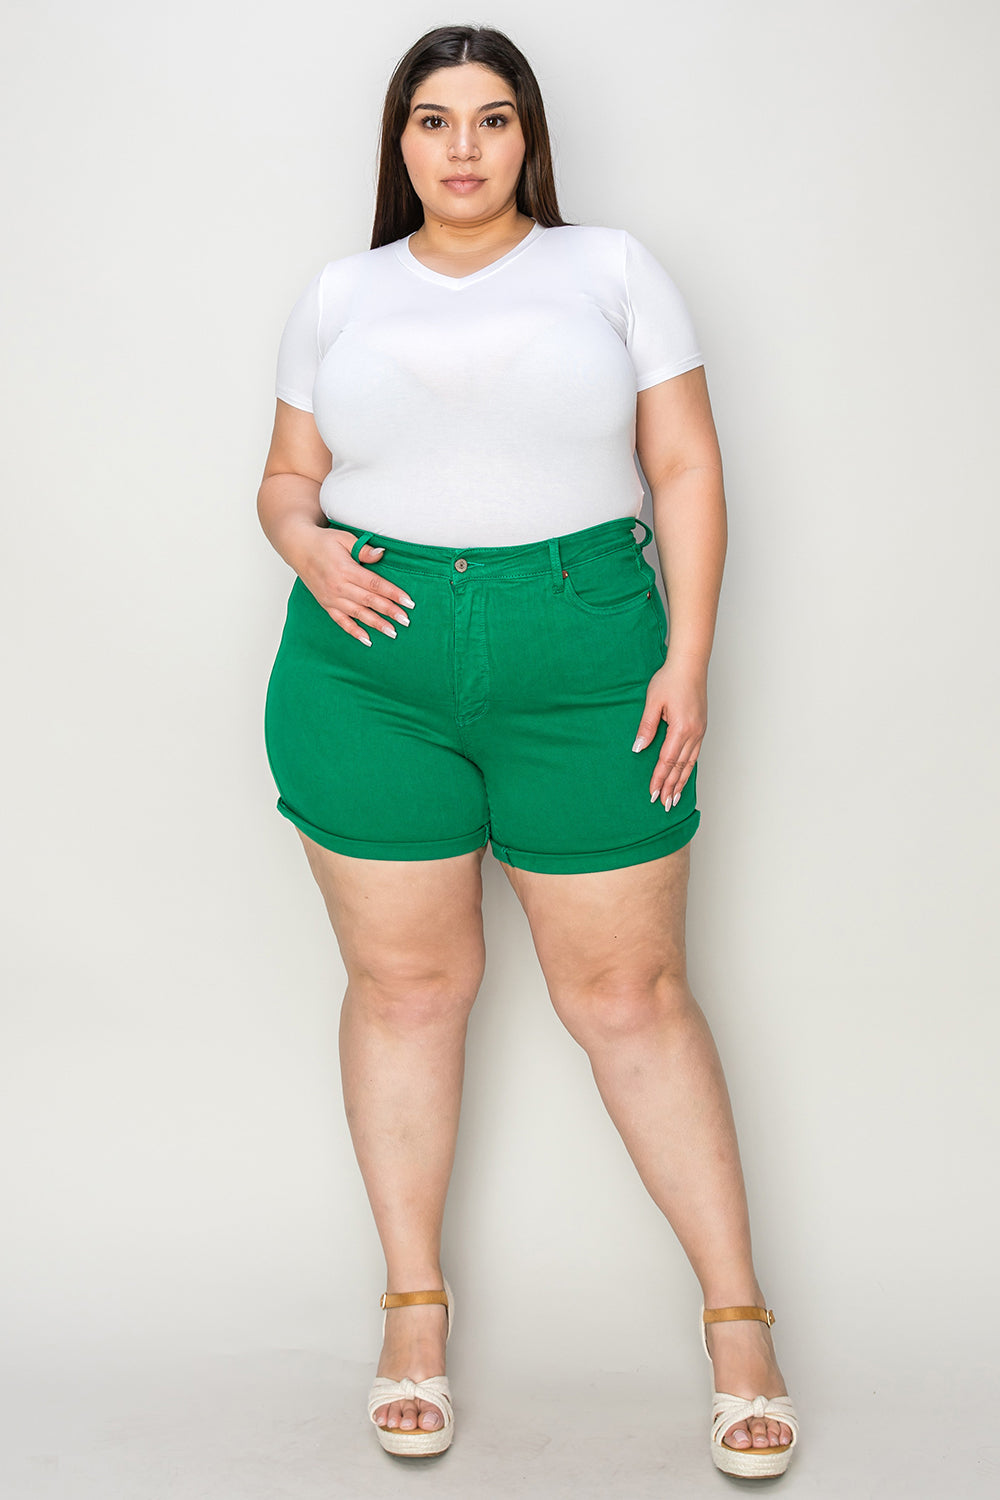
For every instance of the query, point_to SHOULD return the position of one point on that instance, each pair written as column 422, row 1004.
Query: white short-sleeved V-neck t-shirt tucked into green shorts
column 485, row 410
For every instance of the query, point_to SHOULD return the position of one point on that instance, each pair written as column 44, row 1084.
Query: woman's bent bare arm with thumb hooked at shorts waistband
column 295, row 524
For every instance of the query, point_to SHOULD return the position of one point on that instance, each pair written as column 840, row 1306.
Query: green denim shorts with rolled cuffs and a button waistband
column 504, row 712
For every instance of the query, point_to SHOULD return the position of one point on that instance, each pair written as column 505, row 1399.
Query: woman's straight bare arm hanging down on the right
column 680, row 455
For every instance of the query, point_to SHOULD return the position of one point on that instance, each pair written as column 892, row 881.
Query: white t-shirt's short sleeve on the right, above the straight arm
column 662, row 337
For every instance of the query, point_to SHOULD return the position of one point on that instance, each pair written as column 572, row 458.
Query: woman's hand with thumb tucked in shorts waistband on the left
column 352, row 595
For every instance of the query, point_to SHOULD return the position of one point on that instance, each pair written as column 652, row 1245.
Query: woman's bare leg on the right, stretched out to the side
column 614, row 956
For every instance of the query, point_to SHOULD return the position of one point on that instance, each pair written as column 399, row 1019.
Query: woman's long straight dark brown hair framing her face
column 398, row 209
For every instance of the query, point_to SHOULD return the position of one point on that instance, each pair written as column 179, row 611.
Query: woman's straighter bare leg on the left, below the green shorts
column 412, row 940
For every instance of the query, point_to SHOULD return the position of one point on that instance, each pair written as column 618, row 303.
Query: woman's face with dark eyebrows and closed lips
column 463, row 145
